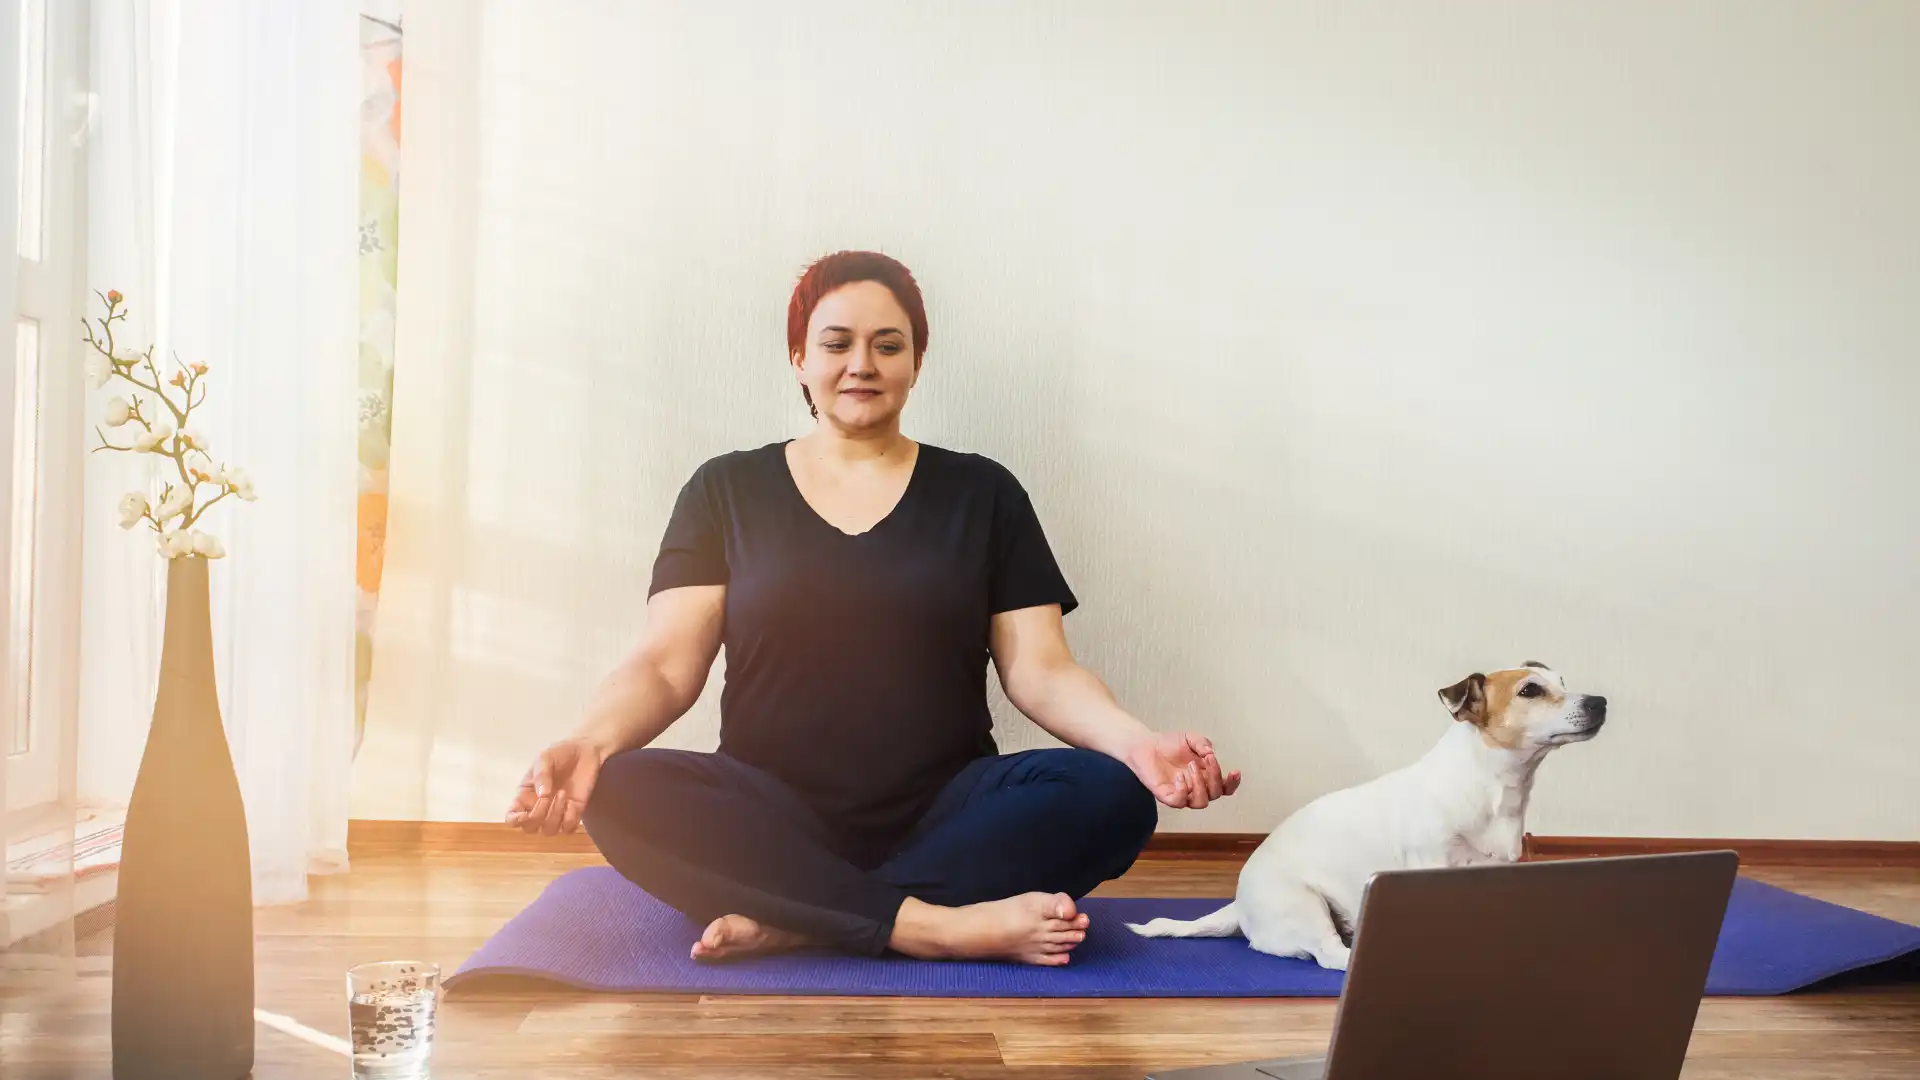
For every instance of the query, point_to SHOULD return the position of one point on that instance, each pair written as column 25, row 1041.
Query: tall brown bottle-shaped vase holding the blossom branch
column 183, row 927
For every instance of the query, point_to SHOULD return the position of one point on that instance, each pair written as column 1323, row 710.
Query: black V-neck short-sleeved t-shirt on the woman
column 857, row 666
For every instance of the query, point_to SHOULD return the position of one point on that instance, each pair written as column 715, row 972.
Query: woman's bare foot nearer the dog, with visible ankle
column 1036, row 929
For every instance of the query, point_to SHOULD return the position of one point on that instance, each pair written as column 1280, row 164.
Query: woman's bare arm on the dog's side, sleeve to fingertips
column 1072, row 704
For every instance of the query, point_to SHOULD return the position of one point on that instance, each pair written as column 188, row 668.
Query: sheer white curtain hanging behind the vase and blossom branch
column 224, row 205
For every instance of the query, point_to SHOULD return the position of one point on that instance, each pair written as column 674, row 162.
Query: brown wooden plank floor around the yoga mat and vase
column 444, row 908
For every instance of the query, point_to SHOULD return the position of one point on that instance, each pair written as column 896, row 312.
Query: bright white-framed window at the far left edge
column 49, row 399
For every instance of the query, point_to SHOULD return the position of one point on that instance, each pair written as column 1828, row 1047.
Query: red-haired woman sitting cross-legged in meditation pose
column 861, row 583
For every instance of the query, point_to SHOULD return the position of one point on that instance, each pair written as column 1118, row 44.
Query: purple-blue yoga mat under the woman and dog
column 596, row 931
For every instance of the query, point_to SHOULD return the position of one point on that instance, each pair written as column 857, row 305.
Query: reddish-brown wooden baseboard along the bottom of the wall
column 368, row 839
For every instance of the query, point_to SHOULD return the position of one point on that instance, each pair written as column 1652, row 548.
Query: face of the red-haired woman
column 859, row 360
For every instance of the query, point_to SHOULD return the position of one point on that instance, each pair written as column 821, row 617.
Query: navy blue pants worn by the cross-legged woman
column 717, row 837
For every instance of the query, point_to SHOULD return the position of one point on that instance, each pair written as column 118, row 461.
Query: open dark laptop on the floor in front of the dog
column 1581, row 970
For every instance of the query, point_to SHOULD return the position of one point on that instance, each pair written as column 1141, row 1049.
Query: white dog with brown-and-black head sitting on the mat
column 1460, row 804
